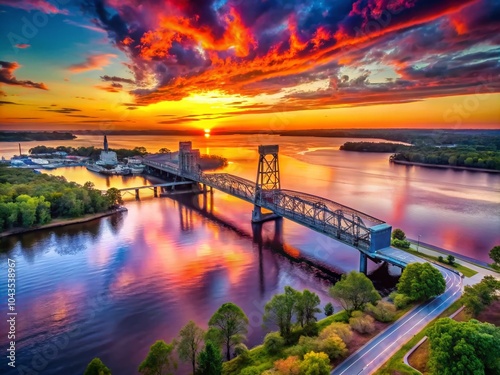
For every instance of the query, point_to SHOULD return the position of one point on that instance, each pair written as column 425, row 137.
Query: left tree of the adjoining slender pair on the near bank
column 280, row 309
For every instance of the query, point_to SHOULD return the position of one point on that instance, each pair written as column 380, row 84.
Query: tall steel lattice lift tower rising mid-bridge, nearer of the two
column 268, row 179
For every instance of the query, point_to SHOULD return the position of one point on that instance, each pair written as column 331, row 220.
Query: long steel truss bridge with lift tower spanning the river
column 366, row 233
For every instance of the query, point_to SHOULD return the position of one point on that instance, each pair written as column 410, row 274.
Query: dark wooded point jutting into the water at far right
column 470, row 157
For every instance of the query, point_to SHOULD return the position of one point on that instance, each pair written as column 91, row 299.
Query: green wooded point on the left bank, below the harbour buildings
column 28, row 199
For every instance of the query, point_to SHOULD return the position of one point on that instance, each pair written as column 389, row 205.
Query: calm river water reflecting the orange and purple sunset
column 111, row 287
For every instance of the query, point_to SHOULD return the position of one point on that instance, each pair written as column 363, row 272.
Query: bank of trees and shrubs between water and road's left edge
column 301, row 345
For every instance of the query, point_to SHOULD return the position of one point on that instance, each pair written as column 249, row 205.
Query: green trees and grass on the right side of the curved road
column 458, row 348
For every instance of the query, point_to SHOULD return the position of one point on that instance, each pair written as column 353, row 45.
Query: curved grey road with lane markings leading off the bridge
column 378, row 350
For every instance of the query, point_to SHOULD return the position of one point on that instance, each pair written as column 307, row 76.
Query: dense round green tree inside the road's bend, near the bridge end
column 421, row 281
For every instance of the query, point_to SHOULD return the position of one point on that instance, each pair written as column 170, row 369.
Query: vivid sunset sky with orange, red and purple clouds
column 249, row 64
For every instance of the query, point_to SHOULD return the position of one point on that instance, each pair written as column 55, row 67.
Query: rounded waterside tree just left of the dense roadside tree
column 354, row 291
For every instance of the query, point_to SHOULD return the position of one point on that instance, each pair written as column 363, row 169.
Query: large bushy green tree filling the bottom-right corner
column 460, row 348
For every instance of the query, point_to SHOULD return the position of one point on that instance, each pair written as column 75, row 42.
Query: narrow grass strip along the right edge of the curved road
column 395, row 363
